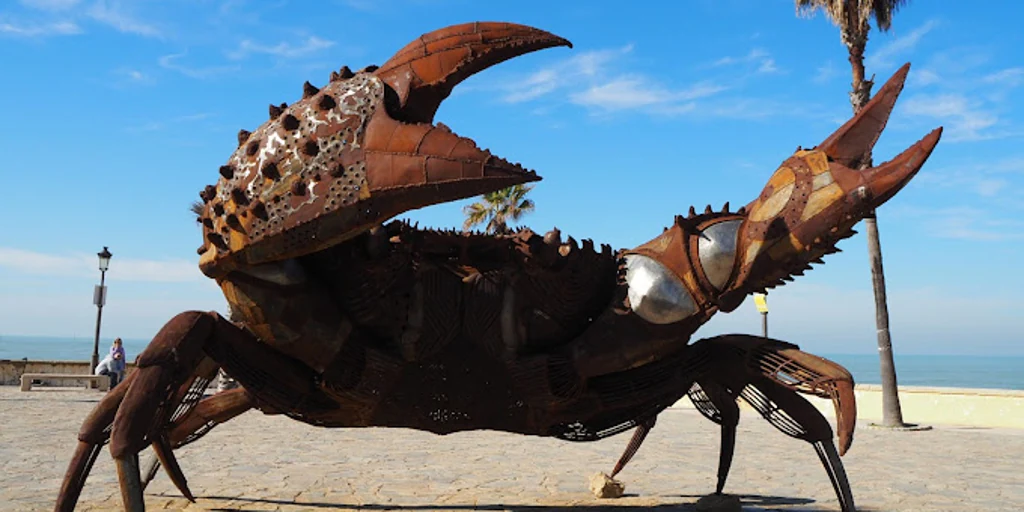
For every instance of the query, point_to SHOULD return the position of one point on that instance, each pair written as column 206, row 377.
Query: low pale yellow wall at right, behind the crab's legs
column 932, row 406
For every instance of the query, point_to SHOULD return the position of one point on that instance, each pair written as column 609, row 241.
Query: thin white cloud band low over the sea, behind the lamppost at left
column 84, row 265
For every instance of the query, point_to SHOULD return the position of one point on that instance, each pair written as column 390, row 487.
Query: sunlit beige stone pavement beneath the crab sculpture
column 263, row 462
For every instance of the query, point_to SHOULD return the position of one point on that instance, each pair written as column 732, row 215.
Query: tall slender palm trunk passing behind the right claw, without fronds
column 892, row 415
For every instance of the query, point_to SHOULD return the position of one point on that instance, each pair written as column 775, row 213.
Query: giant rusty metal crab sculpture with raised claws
column 351, row 322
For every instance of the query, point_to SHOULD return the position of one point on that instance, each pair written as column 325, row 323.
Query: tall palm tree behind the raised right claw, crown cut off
column 852, row 19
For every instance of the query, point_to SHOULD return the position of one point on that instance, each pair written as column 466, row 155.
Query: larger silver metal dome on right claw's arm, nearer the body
column 656, row 294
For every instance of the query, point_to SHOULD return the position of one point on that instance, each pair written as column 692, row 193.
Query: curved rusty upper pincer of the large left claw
column 424, row 73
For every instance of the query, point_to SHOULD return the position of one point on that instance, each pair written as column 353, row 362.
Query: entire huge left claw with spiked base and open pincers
column 359, row 152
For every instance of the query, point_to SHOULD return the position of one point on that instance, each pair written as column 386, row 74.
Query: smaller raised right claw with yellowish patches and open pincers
column 815, row 199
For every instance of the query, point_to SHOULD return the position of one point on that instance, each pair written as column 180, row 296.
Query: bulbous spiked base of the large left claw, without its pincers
column 306, row 162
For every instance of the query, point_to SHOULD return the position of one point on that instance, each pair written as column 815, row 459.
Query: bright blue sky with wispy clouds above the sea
column 119, row 113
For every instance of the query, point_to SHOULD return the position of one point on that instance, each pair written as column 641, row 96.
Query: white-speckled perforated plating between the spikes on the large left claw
column 335, row 132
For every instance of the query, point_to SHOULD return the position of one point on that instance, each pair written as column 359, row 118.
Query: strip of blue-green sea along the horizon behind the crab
column 991, row 372
